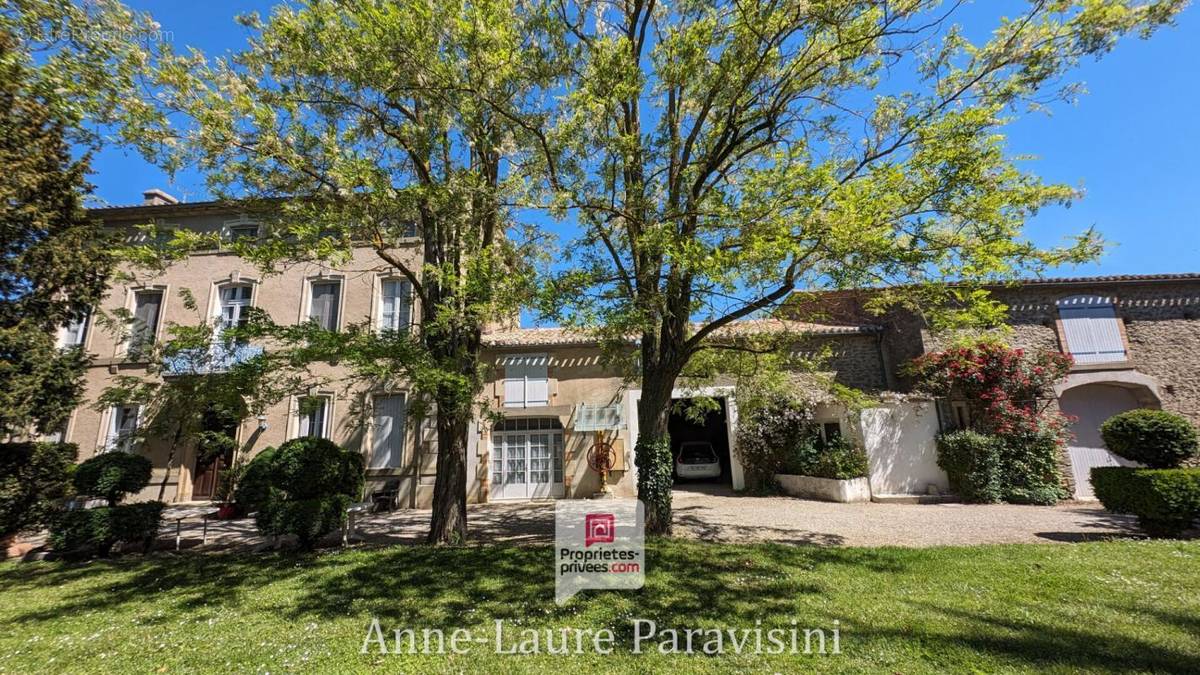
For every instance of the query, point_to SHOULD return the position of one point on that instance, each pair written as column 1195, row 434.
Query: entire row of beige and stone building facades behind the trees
column 1136, row 342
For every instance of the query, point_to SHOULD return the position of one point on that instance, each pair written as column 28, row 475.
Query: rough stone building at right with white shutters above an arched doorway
column 1136, row 342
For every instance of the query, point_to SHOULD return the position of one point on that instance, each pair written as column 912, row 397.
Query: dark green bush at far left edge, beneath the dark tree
column 35, row 479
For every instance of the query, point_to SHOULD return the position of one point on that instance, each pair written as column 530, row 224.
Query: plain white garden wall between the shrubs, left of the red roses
column 901, row 439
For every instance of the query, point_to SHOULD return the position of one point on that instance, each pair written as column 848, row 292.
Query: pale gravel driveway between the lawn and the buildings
column 721, row 516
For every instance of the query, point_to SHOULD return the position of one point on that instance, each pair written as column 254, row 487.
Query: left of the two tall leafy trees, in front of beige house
column 364, row 124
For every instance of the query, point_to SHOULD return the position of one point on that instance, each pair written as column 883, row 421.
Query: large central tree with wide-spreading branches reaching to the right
column 729, row 153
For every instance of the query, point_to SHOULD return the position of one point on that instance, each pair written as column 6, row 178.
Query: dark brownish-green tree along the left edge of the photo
column 69, row 77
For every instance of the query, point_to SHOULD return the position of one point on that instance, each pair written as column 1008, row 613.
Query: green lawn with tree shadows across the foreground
column 1111, row 606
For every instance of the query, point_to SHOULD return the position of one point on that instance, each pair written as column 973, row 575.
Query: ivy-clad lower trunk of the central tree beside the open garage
column 653, row 452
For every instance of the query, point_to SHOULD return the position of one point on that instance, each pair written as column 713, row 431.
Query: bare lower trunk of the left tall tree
column 449, row 523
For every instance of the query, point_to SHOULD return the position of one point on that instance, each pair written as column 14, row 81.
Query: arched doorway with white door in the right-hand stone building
column 1094, row 404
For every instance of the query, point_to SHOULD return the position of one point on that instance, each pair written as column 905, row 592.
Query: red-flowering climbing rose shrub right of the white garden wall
column 1001, row 387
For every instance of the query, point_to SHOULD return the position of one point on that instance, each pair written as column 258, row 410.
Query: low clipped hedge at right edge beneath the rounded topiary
column 1166, row 501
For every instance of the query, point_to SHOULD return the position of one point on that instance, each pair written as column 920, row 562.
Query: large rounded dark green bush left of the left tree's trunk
column 302, row 488
